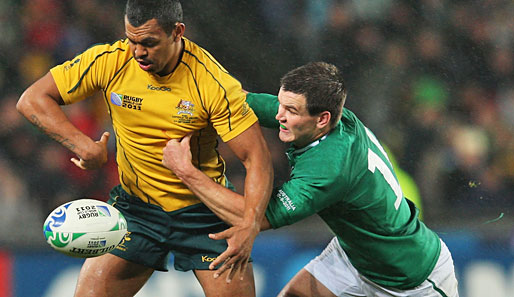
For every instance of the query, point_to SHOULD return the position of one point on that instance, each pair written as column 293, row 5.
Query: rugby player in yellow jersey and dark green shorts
column 158, row 85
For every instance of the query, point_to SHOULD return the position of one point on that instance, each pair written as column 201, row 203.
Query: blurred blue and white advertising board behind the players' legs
column 483, row 269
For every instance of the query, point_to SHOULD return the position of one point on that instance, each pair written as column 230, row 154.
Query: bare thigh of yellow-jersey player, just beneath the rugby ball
column 109, row 275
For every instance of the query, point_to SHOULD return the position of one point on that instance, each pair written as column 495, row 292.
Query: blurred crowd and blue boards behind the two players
column 434, row 80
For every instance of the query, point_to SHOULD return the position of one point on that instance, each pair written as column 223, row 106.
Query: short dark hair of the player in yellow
column 166, row 12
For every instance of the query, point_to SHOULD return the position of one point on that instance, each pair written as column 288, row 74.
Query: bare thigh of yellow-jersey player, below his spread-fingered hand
column 218, row 287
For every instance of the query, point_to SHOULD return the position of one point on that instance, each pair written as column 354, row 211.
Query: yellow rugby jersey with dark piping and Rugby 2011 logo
column 147, row 110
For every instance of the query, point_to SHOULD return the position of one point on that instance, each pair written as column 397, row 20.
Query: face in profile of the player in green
column 296, row 125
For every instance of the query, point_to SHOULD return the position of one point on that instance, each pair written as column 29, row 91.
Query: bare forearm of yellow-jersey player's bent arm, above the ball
column 44, row 112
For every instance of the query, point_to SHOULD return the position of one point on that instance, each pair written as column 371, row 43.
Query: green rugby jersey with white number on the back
column 346, row 178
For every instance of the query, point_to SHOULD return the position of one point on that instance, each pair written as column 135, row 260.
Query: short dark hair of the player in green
column 321, row 84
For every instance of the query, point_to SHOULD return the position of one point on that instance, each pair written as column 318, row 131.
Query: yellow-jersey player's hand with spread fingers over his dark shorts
column 235, row 258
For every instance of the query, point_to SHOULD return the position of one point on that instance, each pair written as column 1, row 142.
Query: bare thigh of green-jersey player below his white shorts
column 303, row 284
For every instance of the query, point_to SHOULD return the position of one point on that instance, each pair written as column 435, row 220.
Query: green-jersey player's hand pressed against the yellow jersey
column 176, row 155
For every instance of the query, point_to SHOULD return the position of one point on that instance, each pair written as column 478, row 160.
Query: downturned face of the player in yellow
column 152, row 48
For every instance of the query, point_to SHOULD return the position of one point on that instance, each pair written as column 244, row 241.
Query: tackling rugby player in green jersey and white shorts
column 339, row 171
